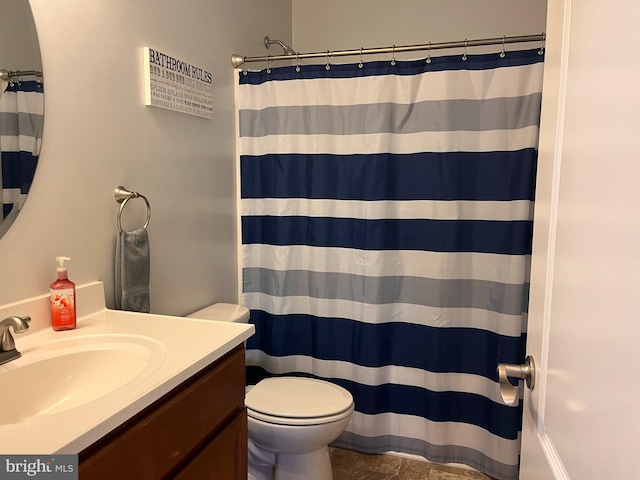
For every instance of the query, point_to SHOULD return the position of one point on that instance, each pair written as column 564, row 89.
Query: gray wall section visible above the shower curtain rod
column 351, row 24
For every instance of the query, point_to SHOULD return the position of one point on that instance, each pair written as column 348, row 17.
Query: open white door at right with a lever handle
column 582, row 419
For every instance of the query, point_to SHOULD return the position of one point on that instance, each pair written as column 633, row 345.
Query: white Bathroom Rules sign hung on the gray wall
column 177, row 85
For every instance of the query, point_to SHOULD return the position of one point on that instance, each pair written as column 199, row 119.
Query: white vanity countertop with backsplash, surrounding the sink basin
column 183, row 346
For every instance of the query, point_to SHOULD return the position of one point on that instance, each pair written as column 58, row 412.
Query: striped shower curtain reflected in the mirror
column 21, row 120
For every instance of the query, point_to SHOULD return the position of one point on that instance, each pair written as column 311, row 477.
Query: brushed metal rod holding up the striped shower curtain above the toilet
column 238, row 60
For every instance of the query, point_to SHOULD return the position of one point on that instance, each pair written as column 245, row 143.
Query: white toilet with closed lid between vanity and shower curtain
column 291, row 419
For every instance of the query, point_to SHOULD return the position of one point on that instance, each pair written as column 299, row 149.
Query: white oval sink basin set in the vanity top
column 64, row 374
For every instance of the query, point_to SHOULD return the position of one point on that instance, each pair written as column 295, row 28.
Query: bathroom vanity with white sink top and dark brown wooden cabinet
column 134, row 395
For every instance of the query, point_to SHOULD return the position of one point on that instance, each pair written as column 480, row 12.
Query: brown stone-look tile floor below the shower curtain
column 349, row 465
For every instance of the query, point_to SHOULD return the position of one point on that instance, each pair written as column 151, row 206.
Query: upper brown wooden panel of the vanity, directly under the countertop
column 166, row 434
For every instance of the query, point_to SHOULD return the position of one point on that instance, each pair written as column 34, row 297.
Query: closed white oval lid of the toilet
column 296, row 397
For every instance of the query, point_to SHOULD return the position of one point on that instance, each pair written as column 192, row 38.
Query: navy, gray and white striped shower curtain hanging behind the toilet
column 386, row 218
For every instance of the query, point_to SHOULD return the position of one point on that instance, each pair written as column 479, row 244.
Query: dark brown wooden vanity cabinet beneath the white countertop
column 198, row 431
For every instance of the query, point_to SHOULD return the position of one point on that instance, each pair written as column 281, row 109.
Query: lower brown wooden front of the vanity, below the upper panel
column 224, row 458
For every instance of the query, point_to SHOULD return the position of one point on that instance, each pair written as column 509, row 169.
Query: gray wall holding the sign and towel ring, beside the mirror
column 98, row 134
